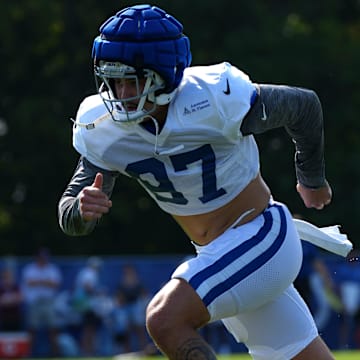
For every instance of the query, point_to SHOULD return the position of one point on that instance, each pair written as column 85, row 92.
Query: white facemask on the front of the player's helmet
column 132, row 109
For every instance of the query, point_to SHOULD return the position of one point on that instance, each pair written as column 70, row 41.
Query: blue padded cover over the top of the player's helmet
column 145, row 37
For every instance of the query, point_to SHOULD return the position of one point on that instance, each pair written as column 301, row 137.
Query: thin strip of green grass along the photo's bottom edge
column 339, row 355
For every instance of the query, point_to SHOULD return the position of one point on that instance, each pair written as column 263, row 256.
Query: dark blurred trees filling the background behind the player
column 45, row 55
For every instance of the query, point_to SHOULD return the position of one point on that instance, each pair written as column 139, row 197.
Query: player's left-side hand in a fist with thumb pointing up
column 93, row 202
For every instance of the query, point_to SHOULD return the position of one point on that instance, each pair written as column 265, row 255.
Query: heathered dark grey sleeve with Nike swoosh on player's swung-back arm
column 299, row 111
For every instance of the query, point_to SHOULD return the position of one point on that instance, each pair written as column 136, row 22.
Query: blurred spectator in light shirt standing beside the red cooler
column 41, row 280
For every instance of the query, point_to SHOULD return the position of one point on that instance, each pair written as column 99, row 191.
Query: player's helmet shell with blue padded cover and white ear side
column 143, row 38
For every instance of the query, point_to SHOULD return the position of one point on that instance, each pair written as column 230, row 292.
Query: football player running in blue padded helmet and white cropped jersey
column 186, row 134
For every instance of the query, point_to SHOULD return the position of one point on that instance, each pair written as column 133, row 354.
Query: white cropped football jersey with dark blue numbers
column 199, row 161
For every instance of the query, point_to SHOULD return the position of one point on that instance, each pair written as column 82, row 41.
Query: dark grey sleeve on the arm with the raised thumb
column 70, row 220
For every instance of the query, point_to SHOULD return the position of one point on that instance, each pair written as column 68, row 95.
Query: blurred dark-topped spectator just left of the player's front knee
column 136, row 299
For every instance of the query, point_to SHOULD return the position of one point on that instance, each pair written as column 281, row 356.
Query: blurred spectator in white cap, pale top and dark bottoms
column 87, row 285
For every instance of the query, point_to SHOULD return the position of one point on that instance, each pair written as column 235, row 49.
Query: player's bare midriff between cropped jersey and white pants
column 250, row 202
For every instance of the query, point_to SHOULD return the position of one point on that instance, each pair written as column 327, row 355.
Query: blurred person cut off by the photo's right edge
column 349, row 274
